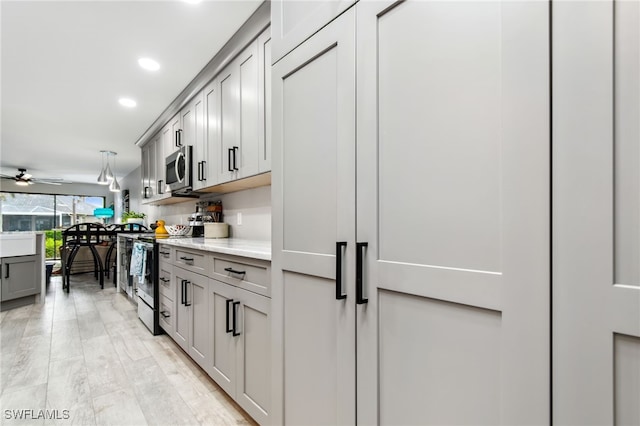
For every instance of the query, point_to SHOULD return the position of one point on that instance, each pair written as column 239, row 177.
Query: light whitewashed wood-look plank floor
column 88, row 353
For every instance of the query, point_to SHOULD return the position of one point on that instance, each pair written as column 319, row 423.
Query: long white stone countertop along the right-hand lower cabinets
column 239, row 247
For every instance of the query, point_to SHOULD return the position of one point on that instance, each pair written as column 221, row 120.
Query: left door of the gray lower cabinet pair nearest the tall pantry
column 222, row 367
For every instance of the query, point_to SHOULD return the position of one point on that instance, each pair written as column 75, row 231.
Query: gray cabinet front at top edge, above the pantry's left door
column 295, row 21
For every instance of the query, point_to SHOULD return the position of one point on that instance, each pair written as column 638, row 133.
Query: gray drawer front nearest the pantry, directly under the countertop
column 250, row 274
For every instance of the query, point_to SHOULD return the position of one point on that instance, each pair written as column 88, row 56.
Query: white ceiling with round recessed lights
column 65, row 64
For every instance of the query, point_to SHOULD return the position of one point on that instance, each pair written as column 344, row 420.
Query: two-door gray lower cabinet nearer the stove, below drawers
column 192, row 314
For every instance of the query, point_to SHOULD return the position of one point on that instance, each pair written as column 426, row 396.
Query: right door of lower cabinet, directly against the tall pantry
column 253, row 363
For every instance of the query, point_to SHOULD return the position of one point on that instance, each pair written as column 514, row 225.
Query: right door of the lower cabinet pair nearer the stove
column 198, row 299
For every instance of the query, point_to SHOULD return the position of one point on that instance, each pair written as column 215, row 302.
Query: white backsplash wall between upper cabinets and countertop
column 253, row 204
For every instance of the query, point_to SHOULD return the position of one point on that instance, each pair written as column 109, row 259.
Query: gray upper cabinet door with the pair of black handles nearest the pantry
column 229, row 124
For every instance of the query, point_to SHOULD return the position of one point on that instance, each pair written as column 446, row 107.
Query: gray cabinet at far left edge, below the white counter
column 19, row 277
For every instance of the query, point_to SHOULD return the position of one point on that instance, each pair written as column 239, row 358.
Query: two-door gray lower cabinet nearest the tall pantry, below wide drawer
column 240, row 346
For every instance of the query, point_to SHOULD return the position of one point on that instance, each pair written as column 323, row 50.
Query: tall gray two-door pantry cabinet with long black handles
column 411, row 199
